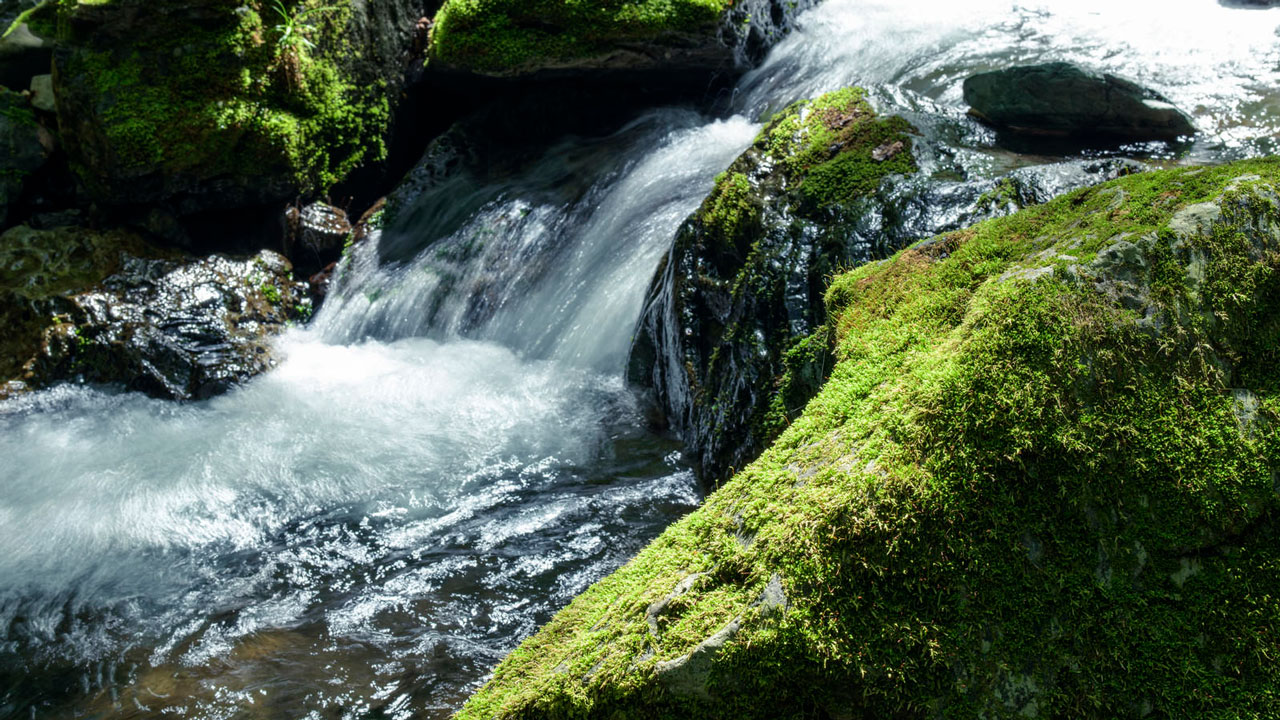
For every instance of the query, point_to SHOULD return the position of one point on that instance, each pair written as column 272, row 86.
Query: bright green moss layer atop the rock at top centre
column 513, row 35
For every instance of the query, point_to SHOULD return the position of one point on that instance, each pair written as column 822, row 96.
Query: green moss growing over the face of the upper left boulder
column 276, row 103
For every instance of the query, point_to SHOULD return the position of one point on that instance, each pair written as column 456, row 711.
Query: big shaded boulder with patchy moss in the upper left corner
column 225, row 103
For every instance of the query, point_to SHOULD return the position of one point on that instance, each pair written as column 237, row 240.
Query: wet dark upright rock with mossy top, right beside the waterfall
column 733, row 340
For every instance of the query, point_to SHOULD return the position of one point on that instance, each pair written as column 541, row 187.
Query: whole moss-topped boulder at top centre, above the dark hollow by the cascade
column 524, row 38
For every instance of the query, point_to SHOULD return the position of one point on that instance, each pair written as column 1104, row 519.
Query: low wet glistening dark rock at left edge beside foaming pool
column 106, row 308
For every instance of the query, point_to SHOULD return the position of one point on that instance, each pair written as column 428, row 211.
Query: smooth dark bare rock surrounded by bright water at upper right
column 1067, row 101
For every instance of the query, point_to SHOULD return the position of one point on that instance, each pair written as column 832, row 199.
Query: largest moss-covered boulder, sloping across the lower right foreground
column 1041, row 482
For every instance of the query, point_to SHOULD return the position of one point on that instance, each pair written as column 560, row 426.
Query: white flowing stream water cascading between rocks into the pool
column 449, row 453
